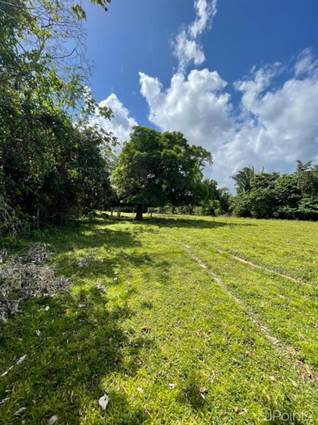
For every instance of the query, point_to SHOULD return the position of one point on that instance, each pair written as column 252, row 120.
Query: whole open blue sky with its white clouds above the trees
column 230, row 74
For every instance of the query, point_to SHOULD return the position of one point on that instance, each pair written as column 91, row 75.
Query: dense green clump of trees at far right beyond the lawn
column 275, row 195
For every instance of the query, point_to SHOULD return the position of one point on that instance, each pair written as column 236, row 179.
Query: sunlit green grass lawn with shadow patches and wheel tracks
column 184, row 332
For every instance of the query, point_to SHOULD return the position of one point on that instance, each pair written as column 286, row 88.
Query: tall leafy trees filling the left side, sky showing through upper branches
column 50, row 167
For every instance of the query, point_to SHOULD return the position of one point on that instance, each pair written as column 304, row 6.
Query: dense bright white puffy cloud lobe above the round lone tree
column 196, row 105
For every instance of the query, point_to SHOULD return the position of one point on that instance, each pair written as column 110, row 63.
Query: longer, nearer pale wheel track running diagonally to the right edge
column 305, row 371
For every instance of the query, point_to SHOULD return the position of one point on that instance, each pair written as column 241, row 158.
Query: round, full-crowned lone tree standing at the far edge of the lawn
column 156, row 168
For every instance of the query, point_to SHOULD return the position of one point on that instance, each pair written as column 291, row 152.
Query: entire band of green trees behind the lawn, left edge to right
column 54, row 164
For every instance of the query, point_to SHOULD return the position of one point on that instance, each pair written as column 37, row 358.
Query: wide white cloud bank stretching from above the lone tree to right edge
column 276, row 124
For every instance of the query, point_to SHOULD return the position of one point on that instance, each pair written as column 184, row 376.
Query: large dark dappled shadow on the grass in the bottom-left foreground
column 71, row 349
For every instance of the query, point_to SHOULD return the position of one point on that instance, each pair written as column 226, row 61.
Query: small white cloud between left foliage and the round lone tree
column 121, row 123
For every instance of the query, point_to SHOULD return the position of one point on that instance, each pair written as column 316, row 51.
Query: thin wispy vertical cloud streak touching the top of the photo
column 187, row 47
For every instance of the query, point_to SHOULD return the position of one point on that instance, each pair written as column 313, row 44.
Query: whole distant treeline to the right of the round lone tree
column 259, row 195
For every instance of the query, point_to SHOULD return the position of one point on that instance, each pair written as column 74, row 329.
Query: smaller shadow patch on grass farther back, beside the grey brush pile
column 86, row 251
